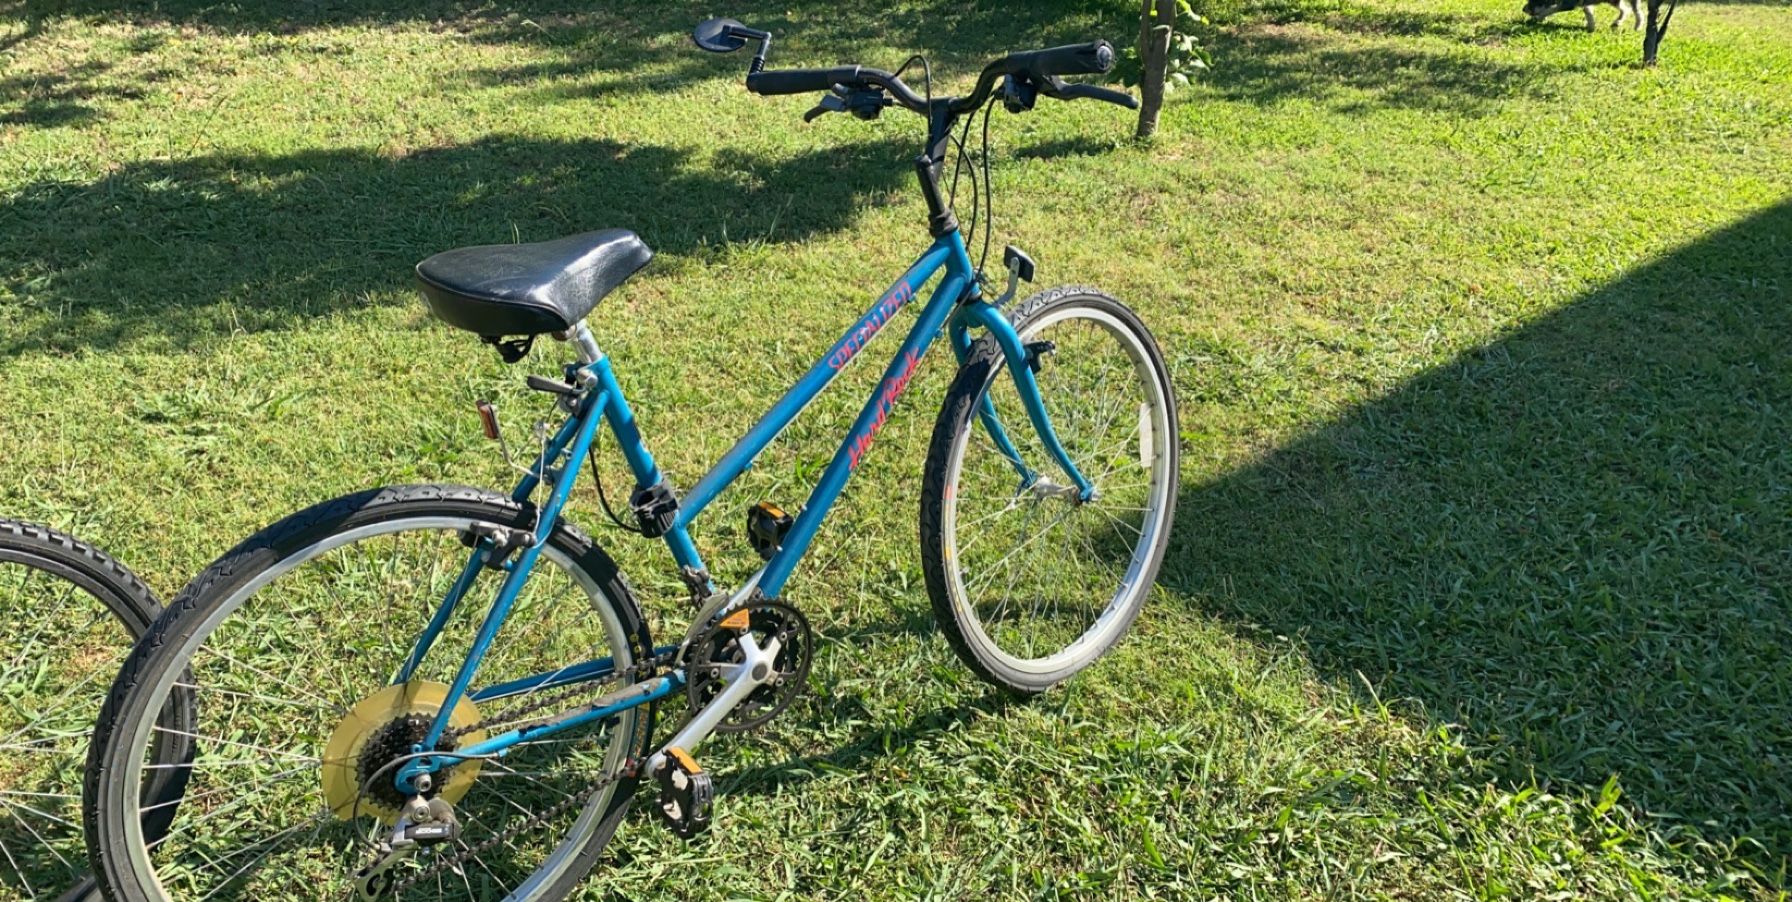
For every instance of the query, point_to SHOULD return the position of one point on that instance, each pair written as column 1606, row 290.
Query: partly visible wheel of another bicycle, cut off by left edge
column 71, row 618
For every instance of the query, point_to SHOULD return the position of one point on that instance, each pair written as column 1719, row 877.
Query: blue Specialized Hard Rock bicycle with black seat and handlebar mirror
column 365, row 729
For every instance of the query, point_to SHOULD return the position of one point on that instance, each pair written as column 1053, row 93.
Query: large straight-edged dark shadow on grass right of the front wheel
column 1576, row 542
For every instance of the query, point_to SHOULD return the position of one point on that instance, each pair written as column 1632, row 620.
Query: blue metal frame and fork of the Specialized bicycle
column 956, row 308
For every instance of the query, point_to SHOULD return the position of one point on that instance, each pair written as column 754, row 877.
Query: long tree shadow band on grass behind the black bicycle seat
column 185, row 250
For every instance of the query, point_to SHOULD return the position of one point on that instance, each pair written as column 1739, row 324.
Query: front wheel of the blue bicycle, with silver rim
column 1031, row 582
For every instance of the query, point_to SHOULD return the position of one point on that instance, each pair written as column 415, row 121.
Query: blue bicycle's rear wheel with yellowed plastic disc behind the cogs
column 293, row 645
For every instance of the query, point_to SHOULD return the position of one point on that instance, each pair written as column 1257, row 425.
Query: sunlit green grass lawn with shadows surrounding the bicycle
column 1483, row 571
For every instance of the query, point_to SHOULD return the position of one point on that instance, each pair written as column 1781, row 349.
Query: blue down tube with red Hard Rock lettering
column 865, row 429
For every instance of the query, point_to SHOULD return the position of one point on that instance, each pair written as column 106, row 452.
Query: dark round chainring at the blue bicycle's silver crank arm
column 718, row 652
